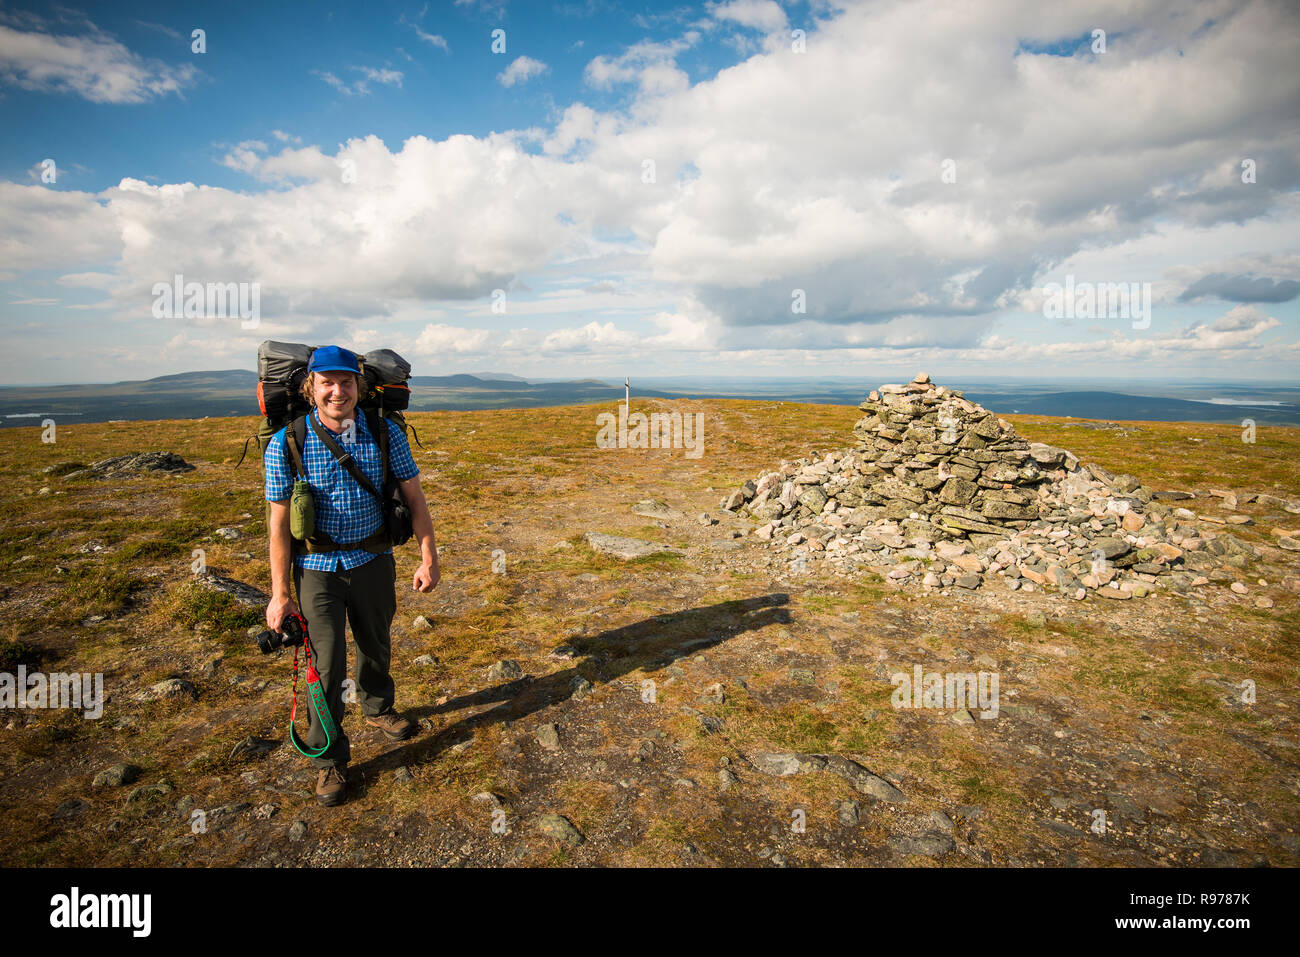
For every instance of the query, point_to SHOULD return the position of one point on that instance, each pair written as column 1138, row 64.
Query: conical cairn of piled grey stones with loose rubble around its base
column 939, row 493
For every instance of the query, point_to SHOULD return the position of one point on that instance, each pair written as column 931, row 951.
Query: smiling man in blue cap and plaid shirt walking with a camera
column 350, row 583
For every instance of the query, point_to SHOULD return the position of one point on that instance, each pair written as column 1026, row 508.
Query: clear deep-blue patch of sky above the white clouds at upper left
column 263, row 67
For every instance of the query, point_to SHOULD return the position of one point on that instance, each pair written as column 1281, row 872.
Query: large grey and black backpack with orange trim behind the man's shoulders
column 283, row 369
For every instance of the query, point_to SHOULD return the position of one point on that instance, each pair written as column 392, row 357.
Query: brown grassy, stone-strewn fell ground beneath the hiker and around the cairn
column 616, row 672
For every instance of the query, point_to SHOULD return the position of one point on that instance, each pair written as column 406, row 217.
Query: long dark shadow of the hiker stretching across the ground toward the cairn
column 651, row 643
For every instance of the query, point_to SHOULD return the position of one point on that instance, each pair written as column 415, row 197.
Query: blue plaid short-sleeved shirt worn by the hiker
column 344, row 510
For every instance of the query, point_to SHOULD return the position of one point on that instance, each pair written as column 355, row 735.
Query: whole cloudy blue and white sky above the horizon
column 600, row 189
